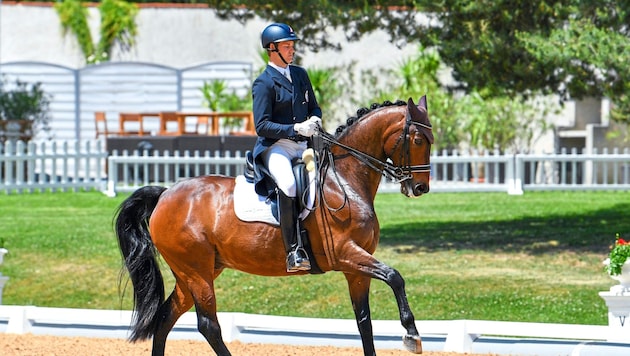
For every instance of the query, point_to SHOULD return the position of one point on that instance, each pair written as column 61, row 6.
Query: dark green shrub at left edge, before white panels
column 24, row 110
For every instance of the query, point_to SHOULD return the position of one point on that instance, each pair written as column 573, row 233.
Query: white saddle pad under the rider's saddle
column 249, row 206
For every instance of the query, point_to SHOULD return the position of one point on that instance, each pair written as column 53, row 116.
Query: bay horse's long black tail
column 140, row 259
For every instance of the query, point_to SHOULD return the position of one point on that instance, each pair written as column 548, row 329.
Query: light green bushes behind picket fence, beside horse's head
column 468, row 121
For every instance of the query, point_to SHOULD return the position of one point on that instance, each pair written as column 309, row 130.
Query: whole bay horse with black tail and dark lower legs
column 192, row 225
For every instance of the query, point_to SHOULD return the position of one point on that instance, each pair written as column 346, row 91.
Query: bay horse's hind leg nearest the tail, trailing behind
column 179, row 302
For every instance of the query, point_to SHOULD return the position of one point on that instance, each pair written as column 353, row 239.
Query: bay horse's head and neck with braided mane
column 393, row 139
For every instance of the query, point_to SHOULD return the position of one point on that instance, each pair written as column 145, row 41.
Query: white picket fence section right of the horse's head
column 514, row 173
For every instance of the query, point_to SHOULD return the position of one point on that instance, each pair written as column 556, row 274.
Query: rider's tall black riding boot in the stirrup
column 297, row 260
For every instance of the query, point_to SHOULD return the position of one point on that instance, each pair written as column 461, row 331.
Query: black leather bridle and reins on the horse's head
column 397, row 174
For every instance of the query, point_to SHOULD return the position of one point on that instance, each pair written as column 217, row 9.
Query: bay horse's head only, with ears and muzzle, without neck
column 411, row 152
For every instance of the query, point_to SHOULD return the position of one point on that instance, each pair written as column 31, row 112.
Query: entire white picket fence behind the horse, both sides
column 86, row 165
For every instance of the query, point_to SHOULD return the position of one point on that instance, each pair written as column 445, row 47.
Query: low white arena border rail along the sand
column 462, row 336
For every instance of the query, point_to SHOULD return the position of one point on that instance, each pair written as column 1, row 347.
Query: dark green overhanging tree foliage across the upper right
column 573, row 48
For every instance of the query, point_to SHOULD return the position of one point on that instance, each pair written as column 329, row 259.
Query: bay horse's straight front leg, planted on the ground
column 359, row 287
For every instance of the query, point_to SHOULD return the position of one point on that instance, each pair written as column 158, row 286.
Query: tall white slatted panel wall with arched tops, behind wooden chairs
column 114, row 87
